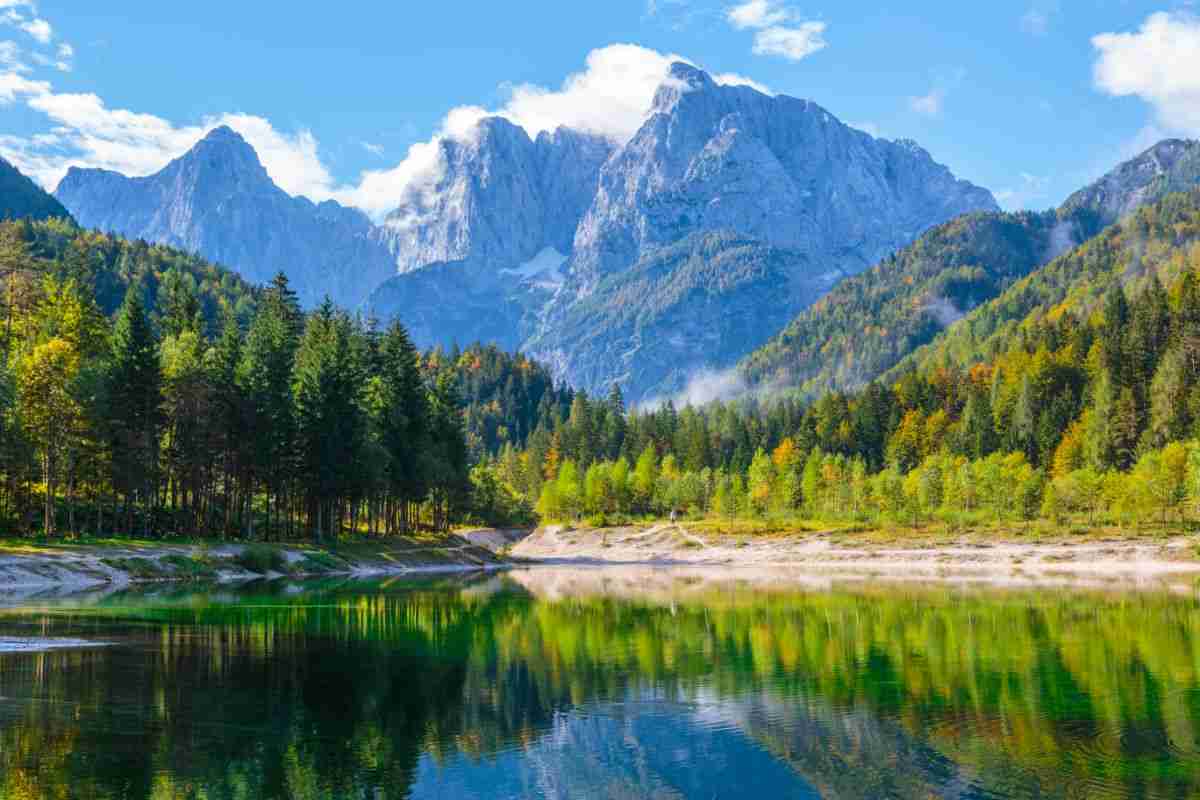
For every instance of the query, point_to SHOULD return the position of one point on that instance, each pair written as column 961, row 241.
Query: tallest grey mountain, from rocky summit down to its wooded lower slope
column 817, row 199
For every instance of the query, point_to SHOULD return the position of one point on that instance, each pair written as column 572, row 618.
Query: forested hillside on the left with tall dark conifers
column 148, row 393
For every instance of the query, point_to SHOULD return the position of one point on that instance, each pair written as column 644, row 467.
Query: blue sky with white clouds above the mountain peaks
column 1030, row 99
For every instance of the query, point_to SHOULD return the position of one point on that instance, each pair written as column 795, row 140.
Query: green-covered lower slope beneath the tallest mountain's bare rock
column 694, row 306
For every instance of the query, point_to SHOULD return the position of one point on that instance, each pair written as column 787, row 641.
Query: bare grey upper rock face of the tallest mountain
column 779, row 170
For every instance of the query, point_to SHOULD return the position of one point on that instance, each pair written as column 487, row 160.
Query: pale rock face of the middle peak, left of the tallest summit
column 497, row 199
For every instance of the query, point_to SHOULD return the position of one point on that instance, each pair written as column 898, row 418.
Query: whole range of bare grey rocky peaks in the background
column 585, row 252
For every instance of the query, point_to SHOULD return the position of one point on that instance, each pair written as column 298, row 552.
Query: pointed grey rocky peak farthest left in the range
column 218, row 201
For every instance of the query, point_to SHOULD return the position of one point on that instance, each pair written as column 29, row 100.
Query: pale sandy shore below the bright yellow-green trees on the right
column 820, row 555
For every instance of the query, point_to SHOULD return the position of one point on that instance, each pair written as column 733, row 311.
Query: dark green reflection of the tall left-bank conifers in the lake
column 254, row 702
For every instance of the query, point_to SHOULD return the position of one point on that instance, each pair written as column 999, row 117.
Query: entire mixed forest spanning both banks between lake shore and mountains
column 151, row 394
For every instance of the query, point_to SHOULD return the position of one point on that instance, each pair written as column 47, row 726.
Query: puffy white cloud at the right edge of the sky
column 1160, row 64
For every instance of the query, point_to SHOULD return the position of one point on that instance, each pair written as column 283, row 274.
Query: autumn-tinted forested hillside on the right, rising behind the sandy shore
column 1077, row 392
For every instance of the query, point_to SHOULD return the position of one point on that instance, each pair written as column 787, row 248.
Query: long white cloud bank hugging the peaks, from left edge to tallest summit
column 610, row 98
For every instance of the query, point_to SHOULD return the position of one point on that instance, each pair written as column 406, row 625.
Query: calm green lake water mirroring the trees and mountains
column 604, row 684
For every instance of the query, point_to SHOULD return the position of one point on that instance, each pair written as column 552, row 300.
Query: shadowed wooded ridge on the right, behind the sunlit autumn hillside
column 869, row 323
